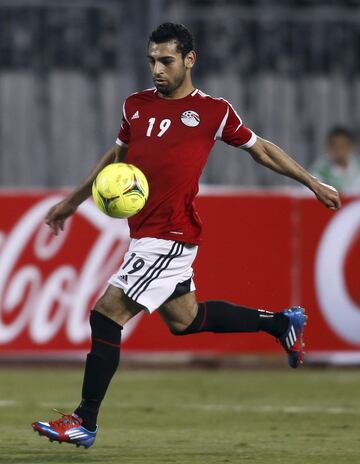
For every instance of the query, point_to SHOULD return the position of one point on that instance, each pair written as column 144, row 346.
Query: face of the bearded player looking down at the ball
column 168, row 67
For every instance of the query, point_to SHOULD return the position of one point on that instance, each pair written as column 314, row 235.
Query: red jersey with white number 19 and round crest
column 170, row 141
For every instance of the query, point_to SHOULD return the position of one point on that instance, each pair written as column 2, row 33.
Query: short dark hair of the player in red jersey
column 178, row 32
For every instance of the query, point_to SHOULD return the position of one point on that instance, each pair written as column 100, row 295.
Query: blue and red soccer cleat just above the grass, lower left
column 66, row 429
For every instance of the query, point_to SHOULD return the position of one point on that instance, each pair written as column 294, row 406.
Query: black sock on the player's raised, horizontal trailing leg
column 224, row 317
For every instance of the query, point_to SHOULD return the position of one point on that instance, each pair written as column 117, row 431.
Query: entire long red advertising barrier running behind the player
column 261, row 249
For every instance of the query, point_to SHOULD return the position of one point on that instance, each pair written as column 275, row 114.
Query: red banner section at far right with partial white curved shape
column 329, row 277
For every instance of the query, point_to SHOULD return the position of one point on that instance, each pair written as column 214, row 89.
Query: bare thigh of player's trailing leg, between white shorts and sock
column 179, row 313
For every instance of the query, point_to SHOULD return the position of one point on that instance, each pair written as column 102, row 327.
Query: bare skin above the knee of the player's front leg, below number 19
column 117, row 306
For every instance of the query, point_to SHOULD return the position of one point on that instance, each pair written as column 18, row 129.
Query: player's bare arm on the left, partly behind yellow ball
column 58, row 214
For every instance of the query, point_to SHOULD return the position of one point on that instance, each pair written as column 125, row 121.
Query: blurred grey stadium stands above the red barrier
column 291, row 68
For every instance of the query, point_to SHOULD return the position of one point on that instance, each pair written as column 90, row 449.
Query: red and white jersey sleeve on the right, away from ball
column 232, row 130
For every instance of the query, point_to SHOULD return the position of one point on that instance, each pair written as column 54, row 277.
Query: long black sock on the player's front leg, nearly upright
column 101, row 364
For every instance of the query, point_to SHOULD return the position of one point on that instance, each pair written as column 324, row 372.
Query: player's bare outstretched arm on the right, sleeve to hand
column 273, row 157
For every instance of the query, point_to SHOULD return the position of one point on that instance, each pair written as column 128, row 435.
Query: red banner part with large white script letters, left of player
column 48, row 283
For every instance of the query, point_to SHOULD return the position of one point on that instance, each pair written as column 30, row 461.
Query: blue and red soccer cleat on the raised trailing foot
column 292, row 340
